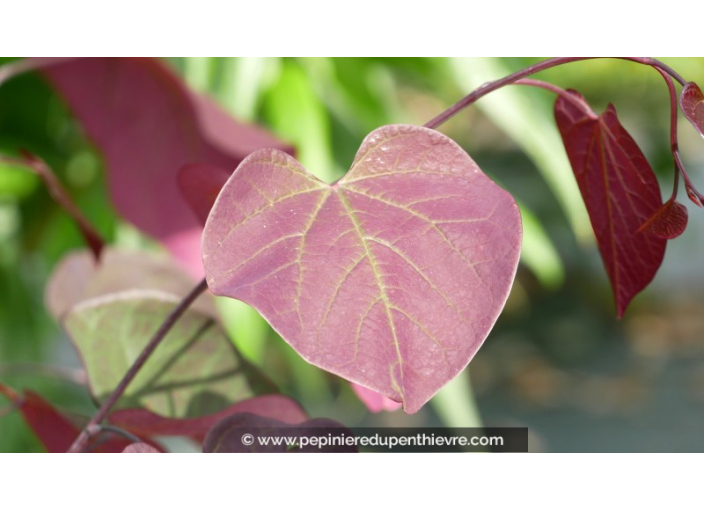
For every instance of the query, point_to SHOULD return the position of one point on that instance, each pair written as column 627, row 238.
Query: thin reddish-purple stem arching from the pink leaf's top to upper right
column 541, row 66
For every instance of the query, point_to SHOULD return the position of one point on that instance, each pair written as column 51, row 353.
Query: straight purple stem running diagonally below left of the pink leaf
column 82, row 439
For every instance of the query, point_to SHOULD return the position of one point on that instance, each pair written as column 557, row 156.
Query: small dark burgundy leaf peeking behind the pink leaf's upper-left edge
column 200, row 185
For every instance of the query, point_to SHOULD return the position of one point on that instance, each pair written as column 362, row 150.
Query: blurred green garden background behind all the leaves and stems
column 557, row 360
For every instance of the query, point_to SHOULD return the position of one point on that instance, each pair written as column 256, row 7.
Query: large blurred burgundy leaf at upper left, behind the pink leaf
column 148, row 125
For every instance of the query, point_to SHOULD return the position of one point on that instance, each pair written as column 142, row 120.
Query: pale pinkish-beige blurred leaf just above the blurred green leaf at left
column 78, row 277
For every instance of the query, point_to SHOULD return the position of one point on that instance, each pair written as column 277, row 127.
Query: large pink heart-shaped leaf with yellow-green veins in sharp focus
column 392, row 277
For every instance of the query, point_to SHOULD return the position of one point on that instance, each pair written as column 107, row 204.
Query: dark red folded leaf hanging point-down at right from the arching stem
column 620, row 191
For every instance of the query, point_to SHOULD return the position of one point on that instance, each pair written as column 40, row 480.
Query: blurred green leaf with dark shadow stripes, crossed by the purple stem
column 195, row 371
